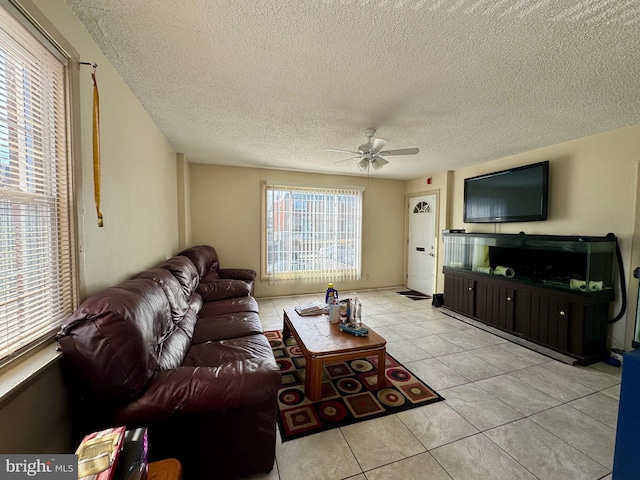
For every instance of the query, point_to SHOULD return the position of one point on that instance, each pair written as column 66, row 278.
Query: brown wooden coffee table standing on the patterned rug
column 322, row 342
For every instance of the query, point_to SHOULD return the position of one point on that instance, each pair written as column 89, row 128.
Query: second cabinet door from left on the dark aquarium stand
column 495, row 304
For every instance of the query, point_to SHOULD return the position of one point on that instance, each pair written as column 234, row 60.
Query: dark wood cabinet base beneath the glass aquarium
column 572, row 323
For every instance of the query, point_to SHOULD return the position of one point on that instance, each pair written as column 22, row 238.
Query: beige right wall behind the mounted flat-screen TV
column 592, row 191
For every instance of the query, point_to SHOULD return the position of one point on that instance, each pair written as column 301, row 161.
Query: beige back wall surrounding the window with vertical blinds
column 226, row 209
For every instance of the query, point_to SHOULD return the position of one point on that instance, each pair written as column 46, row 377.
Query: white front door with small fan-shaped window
column 422, row 240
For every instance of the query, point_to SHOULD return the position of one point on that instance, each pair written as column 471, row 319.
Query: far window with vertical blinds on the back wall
column 312, row 233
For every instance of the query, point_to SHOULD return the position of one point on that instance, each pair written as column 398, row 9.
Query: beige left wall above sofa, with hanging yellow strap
column 139, row 182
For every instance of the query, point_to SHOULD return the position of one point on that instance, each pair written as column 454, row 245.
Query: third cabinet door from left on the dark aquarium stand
column 543, row 319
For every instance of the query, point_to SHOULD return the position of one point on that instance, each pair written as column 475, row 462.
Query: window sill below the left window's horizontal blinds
column 19, row 373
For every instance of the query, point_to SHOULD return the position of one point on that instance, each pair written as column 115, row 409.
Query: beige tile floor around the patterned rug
column 510, row 413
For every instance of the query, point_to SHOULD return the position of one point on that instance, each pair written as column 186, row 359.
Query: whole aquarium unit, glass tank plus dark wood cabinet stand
column 543, row 311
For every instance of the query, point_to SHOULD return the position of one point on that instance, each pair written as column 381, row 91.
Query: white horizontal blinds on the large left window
column 37, row 290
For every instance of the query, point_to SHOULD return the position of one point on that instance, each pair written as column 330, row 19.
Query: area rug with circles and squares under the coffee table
column 350, row 392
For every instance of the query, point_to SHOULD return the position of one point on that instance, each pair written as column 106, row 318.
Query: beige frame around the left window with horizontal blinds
column 27, row 14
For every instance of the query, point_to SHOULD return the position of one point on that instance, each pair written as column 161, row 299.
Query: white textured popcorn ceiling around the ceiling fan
column 271, row 84
